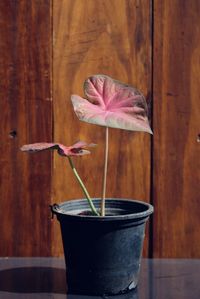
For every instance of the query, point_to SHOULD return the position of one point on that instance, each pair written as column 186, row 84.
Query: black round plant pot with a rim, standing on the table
column 102, row 253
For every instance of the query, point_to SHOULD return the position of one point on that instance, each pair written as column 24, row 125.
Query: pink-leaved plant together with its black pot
column 102, row 238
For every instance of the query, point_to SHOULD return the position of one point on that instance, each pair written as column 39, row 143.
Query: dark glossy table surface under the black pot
column 33, row 278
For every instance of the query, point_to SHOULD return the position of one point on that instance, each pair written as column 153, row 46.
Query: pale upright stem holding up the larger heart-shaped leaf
column 105, row 174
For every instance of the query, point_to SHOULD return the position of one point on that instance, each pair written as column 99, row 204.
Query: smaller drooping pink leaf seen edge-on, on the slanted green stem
column 77, row 149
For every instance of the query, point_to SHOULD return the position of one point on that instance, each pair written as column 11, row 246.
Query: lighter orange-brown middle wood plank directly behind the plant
column 114, row 38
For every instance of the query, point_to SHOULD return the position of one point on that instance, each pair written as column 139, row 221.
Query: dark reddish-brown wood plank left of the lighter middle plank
column 26, row 117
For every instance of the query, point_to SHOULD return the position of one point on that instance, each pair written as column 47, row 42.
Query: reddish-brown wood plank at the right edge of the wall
column 176, row 127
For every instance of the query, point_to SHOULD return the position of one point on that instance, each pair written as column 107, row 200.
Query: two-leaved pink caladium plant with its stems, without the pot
column 107, row 103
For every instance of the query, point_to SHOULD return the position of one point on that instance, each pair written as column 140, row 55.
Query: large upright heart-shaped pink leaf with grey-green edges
column 113, row 104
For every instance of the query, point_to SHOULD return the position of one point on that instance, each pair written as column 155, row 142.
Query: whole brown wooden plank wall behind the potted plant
column 47, row 49
